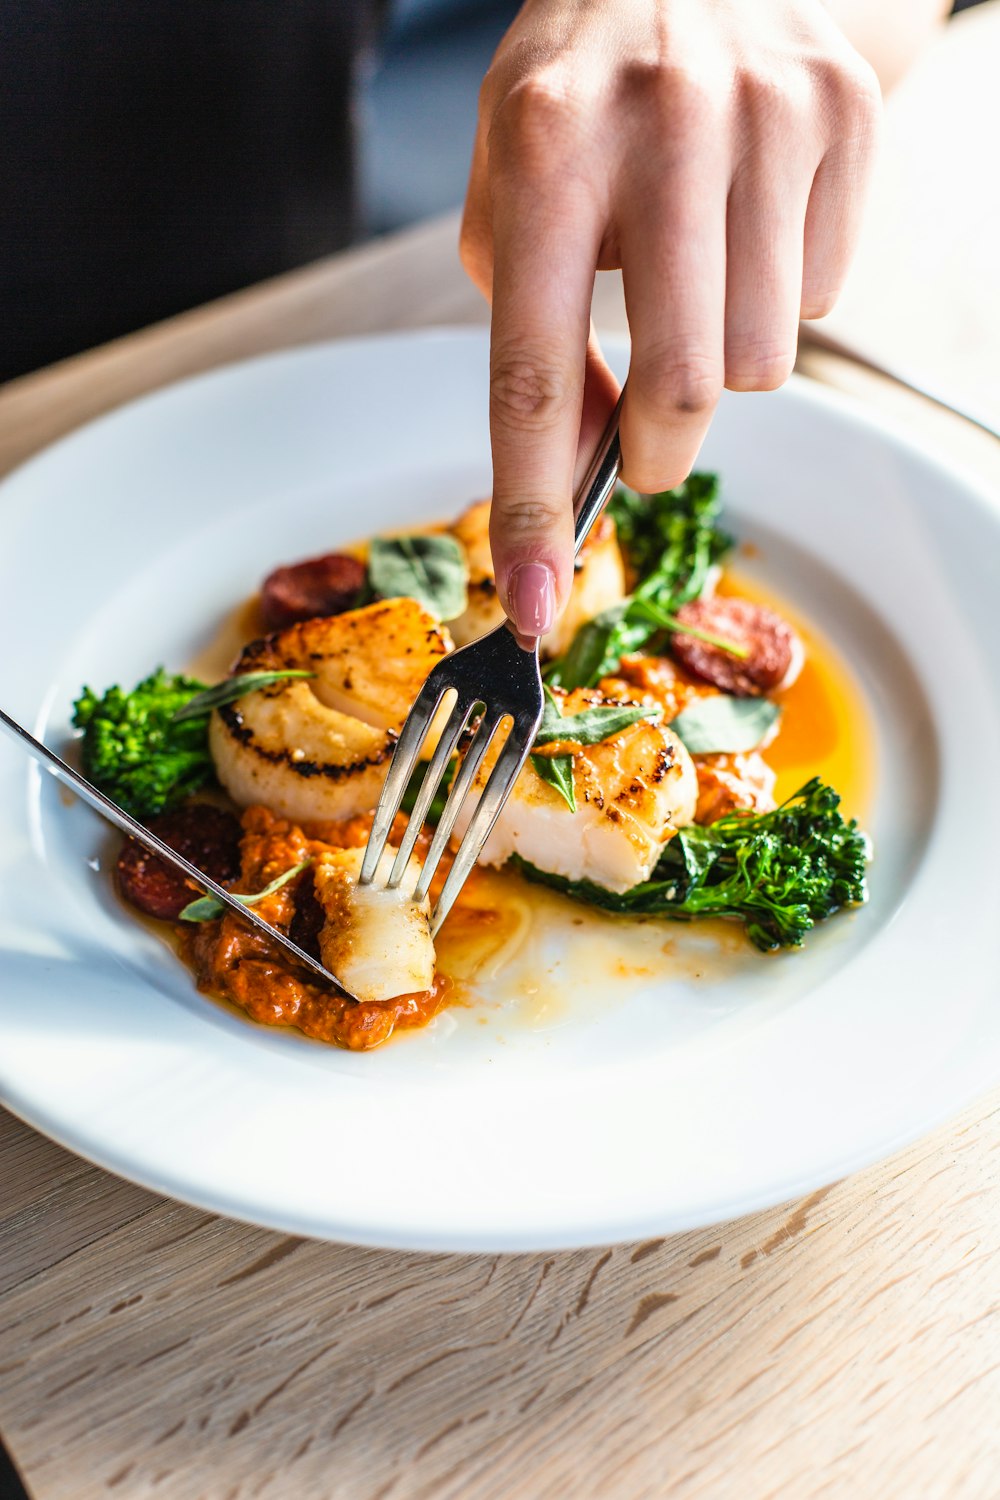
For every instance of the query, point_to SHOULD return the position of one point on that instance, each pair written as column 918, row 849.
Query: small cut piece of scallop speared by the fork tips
column 377, row 941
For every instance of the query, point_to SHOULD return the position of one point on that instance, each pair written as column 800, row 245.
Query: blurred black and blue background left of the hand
column 164, row 154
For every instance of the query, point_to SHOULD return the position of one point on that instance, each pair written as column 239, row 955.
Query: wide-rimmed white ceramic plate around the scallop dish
column 683, row 1103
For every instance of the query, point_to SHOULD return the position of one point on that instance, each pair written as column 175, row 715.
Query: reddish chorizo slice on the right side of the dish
column 774, row 653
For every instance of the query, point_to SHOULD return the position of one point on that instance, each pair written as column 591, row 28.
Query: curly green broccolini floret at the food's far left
column 136, row 752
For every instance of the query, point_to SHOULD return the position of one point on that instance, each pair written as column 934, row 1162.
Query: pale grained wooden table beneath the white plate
column 848, row 1345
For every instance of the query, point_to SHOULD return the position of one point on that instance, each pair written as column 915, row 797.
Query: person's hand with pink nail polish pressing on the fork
column 717, row 151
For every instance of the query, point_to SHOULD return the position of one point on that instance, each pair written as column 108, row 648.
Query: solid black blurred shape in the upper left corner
column 158, row 154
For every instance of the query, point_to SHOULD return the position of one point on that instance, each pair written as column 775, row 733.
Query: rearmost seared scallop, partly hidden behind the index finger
column 599, row 581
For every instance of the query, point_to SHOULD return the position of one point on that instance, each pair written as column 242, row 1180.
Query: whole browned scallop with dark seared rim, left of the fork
column 319, row 749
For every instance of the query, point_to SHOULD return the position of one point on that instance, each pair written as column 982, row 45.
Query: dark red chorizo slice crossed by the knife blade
column 203, row 835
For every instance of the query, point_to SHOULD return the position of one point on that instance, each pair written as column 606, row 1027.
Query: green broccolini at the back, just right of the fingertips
column 671, row 542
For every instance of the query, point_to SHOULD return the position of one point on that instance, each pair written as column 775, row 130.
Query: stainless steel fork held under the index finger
column 503, row 679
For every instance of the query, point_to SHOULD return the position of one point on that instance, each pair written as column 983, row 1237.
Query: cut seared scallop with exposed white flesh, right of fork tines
column 632, row 796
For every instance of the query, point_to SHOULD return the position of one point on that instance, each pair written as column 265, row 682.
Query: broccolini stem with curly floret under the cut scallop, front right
column 780, row 874
